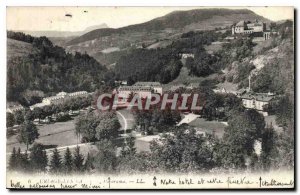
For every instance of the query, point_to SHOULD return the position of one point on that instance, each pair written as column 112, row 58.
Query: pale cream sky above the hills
column 54, row 19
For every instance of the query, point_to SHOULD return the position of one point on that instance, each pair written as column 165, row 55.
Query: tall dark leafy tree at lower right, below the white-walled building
column 239, row 137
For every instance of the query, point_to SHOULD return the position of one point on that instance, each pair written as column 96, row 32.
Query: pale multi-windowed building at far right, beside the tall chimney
column 257, row 101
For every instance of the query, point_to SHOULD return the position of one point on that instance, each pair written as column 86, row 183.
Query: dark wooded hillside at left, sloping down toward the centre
column 36, row 64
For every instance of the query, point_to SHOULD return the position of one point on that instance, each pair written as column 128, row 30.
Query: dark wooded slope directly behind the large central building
column 161, row 65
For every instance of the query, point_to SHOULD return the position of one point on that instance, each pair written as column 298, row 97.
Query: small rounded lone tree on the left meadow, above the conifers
column 28, row 133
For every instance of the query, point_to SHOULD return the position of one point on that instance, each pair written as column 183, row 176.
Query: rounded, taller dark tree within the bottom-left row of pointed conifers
column 38, row 157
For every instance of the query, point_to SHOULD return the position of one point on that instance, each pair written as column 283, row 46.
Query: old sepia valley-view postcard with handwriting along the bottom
column 150, row 98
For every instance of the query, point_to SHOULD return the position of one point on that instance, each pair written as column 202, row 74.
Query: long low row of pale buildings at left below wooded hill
column 59, row 98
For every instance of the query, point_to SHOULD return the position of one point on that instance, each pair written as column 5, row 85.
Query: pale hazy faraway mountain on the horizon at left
column 65, row 33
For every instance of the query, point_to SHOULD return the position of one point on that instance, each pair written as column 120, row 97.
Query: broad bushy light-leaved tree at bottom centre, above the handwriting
column 185, row 151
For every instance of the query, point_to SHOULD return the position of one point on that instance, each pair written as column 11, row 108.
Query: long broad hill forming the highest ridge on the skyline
column 198, row 19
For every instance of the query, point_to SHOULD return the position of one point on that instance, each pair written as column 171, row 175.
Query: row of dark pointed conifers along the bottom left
column 37, row 161
